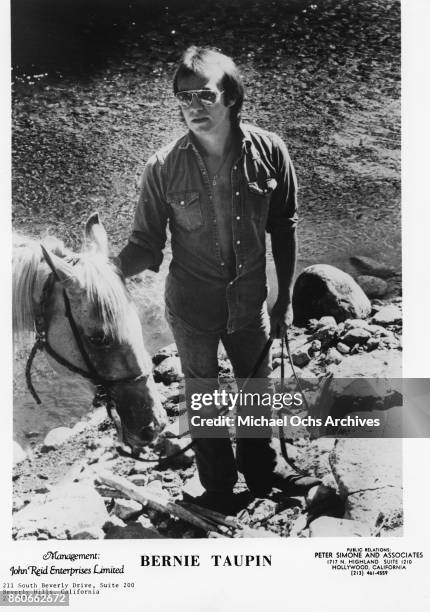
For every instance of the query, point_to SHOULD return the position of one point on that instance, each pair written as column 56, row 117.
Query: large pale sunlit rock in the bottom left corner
column 65, row 512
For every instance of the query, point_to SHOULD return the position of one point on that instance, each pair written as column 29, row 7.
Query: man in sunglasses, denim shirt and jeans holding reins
column 221, row 187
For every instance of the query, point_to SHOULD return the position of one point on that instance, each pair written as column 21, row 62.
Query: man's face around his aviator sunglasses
column 203, row 119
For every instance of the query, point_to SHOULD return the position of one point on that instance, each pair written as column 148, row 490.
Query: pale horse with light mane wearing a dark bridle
column 81, row 313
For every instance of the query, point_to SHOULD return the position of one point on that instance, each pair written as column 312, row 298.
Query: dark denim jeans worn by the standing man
column 198, row 352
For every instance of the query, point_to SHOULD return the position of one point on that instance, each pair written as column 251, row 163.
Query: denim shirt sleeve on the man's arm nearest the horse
column 150, row 219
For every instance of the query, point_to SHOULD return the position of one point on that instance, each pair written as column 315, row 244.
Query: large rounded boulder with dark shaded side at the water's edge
column 322, row 290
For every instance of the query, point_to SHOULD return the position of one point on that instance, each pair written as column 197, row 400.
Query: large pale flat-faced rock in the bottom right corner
column 369, row 476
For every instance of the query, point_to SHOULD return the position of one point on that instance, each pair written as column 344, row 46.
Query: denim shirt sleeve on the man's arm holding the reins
column 283, row 215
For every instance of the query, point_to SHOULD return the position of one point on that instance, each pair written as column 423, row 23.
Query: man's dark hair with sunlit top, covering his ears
column 203, row 61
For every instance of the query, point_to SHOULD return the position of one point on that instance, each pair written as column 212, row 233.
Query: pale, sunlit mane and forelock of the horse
column 100, row 279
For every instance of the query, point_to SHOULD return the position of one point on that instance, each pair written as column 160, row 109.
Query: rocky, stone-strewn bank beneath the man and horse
column 57, row 495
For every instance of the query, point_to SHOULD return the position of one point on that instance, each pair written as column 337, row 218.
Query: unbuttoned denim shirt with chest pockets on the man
column 176, row 189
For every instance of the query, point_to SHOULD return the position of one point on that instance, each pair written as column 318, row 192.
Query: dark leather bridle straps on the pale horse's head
column 103, row 385
